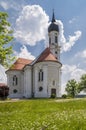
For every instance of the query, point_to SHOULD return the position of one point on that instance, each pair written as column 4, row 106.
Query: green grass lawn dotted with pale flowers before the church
column 43, row 114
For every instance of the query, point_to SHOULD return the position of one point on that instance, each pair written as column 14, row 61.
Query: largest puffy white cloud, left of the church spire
column 31, row 26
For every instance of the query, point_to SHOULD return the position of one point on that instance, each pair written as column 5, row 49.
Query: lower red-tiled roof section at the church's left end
column 20, row 63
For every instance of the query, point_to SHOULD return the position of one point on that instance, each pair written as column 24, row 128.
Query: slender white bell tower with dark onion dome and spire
column 53, row 33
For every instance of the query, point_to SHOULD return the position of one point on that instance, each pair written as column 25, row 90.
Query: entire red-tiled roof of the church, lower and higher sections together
column 46, row 55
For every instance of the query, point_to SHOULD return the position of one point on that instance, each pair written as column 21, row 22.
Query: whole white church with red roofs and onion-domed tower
column 39, row 78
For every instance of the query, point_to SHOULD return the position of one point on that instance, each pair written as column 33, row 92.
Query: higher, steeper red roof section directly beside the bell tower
column 46, row 55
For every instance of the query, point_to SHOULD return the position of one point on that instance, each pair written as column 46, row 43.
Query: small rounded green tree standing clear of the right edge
column 72, row 88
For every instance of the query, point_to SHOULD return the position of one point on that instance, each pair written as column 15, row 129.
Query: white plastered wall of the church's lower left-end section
column 18, row 87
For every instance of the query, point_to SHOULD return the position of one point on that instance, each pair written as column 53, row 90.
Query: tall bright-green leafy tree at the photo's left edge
column 6, row 37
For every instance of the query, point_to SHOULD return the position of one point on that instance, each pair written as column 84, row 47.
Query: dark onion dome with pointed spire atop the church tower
column 53, row 26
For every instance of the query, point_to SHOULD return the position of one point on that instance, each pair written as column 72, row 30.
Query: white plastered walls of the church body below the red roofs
column 29, row 86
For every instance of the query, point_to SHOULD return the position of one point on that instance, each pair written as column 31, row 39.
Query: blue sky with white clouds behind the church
column 30, row 20
